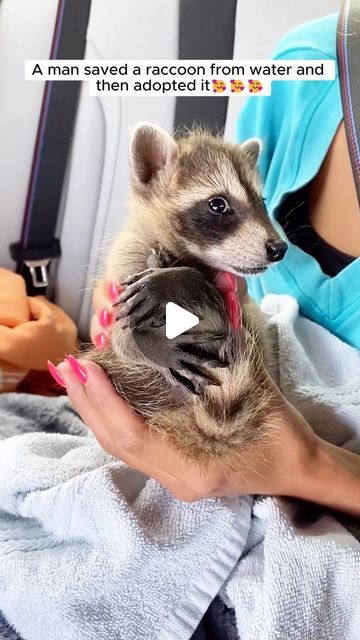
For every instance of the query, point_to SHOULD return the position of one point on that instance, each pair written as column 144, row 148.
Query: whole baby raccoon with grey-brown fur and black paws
column 196, row 210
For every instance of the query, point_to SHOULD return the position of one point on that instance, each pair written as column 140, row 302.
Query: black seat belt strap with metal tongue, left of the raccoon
column 38, row 244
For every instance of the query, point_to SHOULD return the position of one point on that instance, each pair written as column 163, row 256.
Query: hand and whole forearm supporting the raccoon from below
column 295, row 462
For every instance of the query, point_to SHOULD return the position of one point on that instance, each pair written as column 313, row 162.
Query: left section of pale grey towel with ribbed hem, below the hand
column 91, row 549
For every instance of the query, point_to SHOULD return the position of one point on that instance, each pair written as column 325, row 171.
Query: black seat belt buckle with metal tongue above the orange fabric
column 37, row 261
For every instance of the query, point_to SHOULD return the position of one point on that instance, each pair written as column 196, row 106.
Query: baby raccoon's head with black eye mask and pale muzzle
column 210, row 190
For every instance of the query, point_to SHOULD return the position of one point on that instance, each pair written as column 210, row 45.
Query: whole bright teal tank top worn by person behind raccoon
column 297, row 124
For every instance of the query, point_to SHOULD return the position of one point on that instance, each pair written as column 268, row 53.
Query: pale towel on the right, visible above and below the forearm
column 299, row 577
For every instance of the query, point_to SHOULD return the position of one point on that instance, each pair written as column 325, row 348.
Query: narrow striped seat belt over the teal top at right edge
column 348, row 54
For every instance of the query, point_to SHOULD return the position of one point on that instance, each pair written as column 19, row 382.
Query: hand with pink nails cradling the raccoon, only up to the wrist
column 273, row 469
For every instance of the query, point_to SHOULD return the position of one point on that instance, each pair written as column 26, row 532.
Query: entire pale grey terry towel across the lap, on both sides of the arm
column 90, row 549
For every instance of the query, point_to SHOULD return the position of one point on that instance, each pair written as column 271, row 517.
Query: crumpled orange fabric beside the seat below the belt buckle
column 32, row 331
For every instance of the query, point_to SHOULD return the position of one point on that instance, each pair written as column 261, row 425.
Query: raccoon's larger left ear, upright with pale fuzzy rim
column 152, row 150
